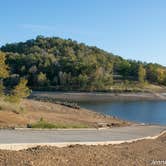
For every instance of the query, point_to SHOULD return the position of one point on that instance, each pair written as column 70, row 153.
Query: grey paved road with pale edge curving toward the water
column 22, row 139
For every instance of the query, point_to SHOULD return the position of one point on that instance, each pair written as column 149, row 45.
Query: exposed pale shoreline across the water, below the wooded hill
column 98, row 96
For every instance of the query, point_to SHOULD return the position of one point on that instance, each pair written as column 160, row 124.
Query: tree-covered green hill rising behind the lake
column 68, row 65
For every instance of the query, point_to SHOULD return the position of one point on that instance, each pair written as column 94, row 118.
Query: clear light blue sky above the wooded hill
column 133, row 29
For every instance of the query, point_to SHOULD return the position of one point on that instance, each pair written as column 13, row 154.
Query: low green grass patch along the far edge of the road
column 42, row 124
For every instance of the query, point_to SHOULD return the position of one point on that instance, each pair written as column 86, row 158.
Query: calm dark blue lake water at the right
column 153, row 112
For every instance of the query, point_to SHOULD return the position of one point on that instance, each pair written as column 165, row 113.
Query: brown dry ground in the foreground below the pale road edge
column 140, row 153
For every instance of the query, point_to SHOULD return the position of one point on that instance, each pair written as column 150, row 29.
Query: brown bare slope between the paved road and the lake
column 54, row 113
